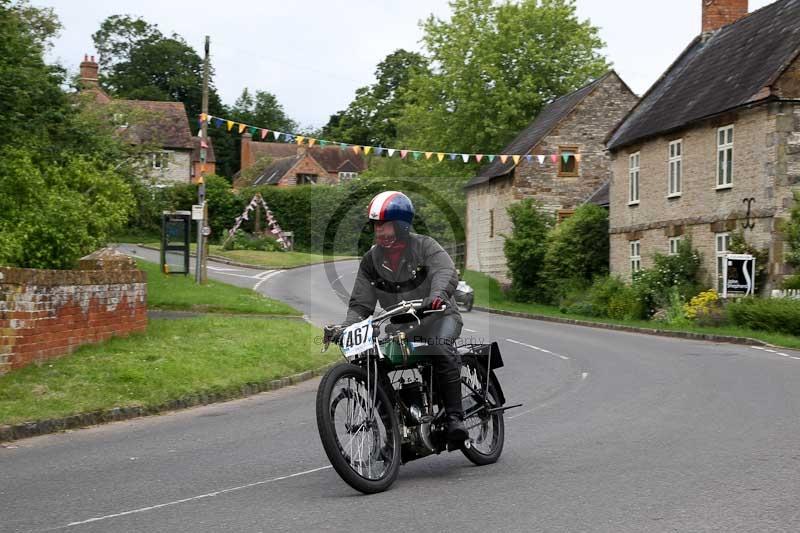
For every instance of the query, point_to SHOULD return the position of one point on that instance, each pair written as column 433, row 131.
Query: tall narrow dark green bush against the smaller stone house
column 525, row 248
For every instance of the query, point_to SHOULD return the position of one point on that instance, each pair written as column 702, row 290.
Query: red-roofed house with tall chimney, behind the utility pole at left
column 163, row 125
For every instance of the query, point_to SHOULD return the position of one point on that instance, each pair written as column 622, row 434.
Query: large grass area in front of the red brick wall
column 174, row 358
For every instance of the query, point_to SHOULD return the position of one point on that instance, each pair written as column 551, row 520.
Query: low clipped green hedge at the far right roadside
column 775, row 314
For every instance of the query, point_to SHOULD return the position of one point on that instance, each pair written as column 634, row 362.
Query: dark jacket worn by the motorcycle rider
column 425, row 269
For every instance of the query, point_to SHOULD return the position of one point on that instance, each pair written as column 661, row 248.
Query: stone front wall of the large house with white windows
column 766, row 166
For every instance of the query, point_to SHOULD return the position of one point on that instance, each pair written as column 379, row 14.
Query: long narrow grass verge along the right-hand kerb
column 488, row 294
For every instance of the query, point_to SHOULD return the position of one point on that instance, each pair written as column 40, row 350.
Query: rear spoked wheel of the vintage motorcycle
column 486, row 430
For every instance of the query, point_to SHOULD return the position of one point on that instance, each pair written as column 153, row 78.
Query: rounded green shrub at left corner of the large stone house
column 577, row 251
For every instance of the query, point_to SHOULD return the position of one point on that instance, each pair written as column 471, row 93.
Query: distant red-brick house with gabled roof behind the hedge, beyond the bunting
column 292, row 164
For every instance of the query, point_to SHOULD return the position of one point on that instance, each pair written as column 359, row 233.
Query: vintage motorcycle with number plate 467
column 380, row 408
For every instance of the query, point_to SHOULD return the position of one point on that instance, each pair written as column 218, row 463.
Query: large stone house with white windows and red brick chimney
column 719, row 129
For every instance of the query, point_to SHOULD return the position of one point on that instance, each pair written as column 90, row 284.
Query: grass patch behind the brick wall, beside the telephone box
column 176, row 292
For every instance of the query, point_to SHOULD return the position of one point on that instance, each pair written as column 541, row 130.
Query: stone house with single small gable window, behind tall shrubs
column 568, row 166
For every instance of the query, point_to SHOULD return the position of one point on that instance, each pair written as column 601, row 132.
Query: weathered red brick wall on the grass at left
column 49, row 313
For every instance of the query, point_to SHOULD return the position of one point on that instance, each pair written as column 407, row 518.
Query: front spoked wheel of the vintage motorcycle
column 358, row 428
